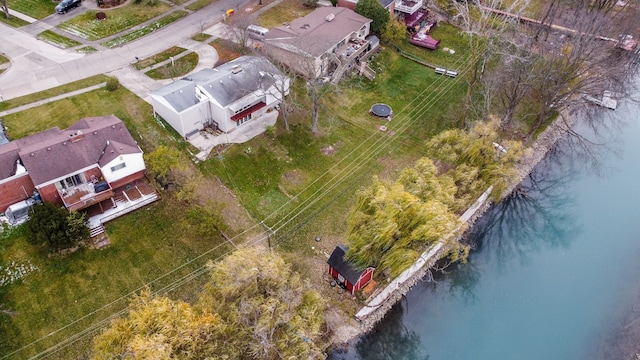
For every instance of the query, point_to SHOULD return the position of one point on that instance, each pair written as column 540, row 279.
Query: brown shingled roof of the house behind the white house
column 315, row 35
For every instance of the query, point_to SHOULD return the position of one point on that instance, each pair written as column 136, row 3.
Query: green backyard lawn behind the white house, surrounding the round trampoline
column 268, row 173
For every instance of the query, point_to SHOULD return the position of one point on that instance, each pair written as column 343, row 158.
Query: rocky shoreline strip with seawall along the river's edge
column 349, row 329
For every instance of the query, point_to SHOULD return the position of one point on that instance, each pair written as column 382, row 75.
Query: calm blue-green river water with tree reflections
column 554, row 274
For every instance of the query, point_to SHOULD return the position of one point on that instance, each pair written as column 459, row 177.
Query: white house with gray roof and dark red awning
column 223, row 98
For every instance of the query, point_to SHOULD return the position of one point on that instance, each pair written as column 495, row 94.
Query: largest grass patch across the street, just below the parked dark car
column 119, row 19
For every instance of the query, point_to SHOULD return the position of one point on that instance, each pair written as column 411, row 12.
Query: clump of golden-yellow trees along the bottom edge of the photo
column 253, row 307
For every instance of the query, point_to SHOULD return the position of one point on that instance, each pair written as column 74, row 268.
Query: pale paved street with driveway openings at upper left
column 37, row 66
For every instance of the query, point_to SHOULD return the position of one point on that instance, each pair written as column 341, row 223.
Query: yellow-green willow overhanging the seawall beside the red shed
column 393, row 224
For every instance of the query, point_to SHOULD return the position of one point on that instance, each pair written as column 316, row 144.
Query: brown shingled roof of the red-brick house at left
column 54, row 153
